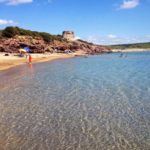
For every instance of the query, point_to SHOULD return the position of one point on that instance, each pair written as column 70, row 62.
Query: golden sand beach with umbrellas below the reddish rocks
column 13, row 60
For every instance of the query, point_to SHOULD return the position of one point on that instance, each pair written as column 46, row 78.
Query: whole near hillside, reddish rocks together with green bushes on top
column 13, row 38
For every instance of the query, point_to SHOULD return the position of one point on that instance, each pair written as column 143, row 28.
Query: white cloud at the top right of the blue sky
column 129, row 4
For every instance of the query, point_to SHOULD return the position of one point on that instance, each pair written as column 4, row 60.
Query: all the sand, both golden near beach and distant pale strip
column 7, row 62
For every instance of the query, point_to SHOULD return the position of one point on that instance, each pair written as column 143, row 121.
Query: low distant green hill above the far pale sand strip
column 131, row 46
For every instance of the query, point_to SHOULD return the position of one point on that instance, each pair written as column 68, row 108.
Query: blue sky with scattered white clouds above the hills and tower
column 99, row 21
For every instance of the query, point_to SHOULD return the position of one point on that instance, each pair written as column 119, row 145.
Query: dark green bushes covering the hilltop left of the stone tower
column 10, row 32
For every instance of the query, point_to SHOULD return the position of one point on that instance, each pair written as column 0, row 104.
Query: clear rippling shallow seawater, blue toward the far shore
column 95, row 103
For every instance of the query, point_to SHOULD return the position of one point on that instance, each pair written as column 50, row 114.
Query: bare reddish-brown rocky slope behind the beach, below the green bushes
column 38, row 45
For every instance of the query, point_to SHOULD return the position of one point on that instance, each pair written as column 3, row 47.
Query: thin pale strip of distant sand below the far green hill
column 130, row 50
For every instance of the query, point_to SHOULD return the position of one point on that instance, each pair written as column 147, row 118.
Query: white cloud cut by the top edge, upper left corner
column 15, row 2
